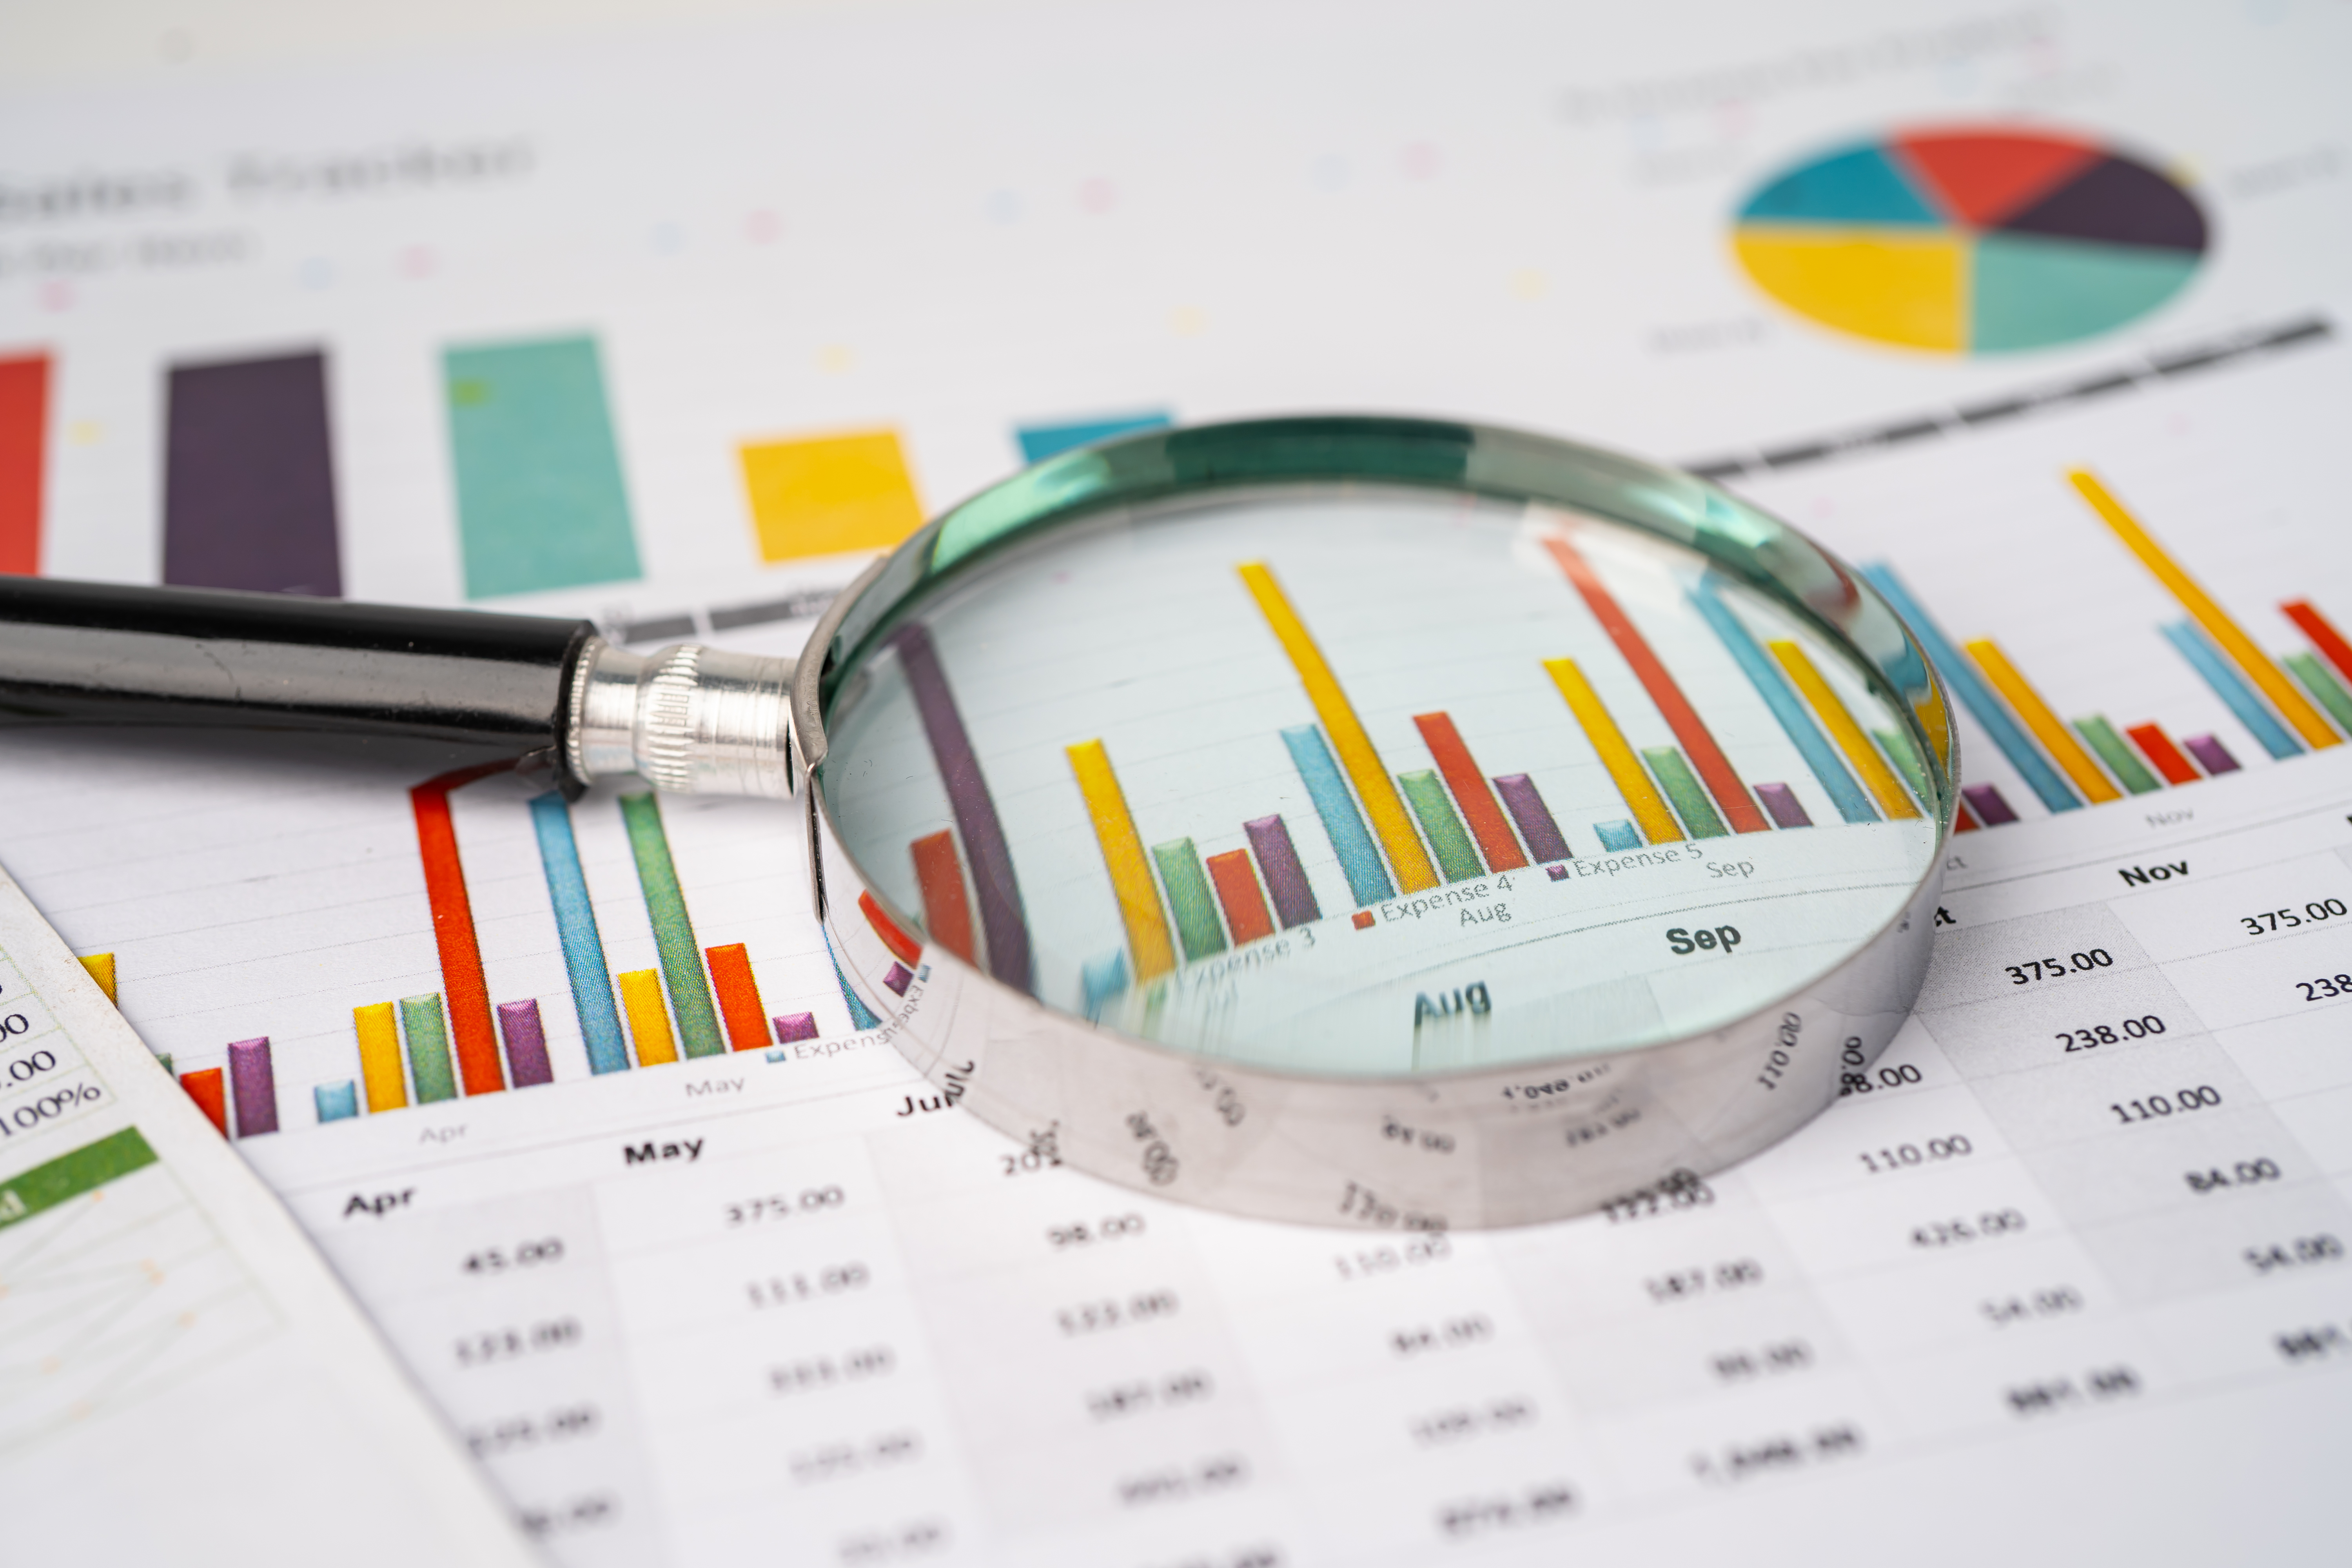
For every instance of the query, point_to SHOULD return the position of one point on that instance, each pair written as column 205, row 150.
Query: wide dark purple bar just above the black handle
column 248, row 488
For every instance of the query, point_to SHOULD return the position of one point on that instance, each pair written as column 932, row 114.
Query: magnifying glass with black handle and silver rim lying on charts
column 1323, row 819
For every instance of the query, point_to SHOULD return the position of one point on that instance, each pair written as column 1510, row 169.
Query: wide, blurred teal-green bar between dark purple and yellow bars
column 540, row 492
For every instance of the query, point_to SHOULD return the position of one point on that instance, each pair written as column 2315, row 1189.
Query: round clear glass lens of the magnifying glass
column 1361, row 782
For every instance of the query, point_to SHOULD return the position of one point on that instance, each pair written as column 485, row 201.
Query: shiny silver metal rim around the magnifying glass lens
column 1443, row 1148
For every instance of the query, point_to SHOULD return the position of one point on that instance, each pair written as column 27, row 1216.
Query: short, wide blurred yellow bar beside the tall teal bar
column 829, row 495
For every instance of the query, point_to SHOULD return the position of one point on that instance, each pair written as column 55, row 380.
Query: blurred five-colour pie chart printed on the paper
column 1972, row 241
